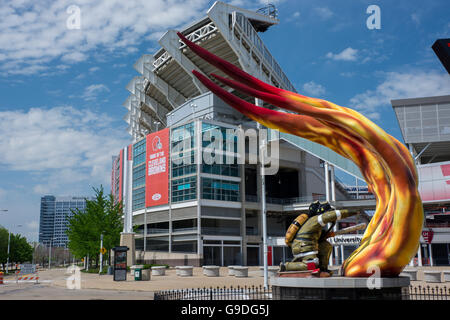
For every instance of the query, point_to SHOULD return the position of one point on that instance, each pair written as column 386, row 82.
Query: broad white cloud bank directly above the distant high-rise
column 61, row 148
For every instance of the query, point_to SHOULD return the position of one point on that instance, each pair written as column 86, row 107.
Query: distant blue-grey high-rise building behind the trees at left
column 55, row 212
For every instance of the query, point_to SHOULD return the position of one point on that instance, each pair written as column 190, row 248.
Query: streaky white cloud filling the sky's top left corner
column 34, row 33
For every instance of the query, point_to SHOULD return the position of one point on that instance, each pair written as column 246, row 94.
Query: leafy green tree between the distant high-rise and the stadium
column 101, row 216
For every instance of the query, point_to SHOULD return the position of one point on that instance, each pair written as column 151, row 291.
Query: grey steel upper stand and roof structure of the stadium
column 166, row 81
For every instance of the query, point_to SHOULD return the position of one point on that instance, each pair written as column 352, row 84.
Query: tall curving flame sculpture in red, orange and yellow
column 392, row 237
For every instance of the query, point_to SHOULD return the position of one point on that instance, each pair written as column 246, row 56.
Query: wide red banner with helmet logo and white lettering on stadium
column 157, row 168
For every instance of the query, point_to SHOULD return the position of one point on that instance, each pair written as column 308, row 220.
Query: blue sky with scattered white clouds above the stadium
column 62, row 90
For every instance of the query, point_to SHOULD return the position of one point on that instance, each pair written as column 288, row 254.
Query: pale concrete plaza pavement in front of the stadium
column 53, row 284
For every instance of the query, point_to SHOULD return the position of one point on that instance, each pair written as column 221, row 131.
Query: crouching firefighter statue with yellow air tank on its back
column 307, row 238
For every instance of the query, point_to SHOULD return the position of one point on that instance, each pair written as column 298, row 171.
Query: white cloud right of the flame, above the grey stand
column 398, row 85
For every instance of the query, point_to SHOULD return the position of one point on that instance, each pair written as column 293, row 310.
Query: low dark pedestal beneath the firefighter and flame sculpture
column 305, row 287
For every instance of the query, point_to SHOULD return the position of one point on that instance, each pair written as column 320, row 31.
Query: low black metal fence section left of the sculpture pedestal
column 231, row 293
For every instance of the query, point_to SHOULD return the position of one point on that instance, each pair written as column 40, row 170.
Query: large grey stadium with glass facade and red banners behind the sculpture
column 195, row 213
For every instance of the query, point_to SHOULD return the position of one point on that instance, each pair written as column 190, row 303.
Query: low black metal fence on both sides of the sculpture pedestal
column 261, row 293
